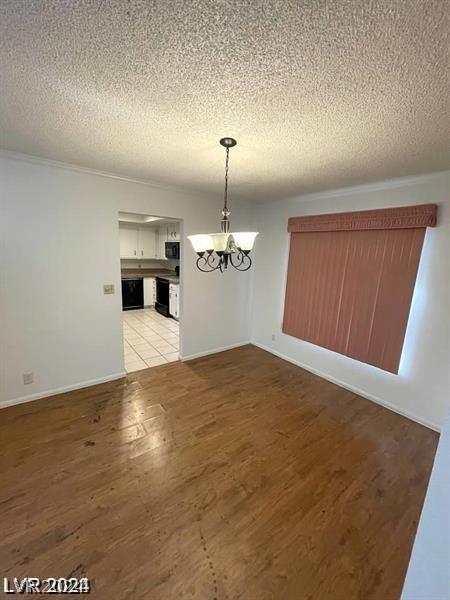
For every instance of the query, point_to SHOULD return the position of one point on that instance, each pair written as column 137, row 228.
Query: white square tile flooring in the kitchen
column 149, row 339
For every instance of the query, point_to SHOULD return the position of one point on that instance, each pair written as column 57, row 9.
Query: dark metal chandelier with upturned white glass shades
column 218, row 250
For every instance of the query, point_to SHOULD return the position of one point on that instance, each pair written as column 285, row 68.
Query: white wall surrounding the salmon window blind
column 421, row 389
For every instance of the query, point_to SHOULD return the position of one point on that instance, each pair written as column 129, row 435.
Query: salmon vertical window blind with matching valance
column 351, row 279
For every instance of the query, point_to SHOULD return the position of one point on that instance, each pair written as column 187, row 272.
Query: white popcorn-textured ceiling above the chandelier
column 319, row 93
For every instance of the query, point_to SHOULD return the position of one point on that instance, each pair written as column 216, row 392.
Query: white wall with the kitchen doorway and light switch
column 60, row 244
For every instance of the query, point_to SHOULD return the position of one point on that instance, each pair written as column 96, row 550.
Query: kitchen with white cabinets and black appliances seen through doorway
column 150, row 269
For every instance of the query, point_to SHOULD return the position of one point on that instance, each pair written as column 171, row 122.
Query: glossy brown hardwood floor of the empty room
column 236, row 476
